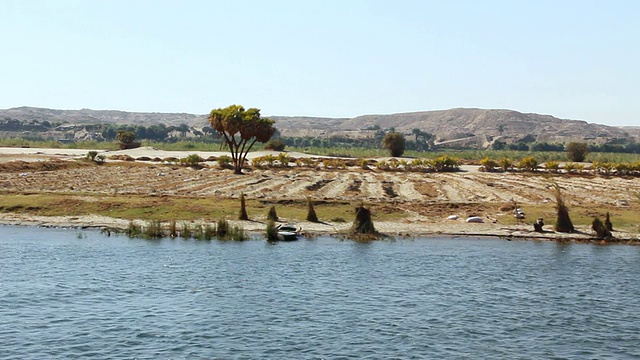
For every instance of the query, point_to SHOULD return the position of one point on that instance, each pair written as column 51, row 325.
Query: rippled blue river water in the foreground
column 78, row 294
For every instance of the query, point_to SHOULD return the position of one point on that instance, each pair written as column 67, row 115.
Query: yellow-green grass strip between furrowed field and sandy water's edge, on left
column 168, row 208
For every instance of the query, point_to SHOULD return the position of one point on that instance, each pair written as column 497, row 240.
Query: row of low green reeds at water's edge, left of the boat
column 155, row 229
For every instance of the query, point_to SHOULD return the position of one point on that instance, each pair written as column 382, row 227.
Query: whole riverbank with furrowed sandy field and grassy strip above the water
column 53, row 188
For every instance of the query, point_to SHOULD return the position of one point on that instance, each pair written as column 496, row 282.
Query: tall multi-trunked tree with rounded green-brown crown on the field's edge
column 240, row 130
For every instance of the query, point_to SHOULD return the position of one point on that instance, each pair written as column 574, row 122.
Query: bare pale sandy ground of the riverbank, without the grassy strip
column 426, row 199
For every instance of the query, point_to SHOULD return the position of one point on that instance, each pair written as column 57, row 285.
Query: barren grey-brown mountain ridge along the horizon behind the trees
column 445, row 124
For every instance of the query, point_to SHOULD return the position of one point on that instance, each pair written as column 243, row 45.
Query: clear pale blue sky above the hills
column 570, row 59
